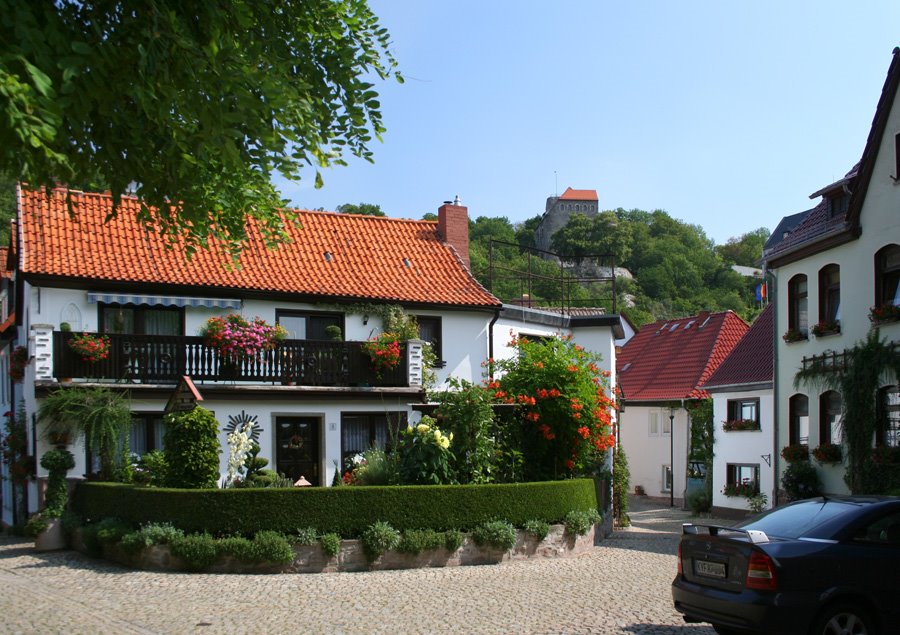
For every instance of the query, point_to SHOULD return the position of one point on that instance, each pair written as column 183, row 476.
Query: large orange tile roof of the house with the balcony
column 335, row 256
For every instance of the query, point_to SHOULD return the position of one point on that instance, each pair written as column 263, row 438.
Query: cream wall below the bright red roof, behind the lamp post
column 647, row 452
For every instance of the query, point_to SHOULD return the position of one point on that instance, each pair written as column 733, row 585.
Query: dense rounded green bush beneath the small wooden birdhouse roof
column 192, row 449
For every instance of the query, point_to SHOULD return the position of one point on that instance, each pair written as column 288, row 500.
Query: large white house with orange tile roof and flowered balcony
column 315, row 400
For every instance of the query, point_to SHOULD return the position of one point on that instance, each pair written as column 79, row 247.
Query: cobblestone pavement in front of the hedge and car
column 622, row 586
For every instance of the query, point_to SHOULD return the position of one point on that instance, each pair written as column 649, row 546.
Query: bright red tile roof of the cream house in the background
column 671, row 359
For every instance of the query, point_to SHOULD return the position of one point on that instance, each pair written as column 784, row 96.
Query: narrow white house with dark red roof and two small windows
column 744, row 417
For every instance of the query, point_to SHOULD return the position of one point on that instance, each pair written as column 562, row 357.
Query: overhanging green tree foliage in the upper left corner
column 197, row 104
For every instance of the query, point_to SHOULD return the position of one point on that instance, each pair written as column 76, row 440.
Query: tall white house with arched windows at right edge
column 829, row 267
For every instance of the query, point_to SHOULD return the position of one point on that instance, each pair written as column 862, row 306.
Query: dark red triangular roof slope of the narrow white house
column 751, row 361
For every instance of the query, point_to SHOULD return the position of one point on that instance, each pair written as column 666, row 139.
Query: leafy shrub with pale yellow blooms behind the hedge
column 425, row 454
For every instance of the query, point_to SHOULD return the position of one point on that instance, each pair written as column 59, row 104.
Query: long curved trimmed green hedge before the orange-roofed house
column 343, row 510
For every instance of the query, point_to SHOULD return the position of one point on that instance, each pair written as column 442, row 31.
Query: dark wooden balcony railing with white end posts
column 160, row 359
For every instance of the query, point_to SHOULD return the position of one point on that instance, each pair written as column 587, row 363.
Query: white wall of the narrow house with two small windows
column 745, row 447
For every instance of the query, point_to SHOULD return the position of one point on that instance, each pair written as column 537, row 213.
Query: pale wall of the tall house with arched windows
column 880, row 225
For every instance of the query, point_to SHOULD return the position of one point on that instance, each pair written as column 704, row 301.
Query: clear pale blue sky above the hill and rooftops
column 726, row 115
